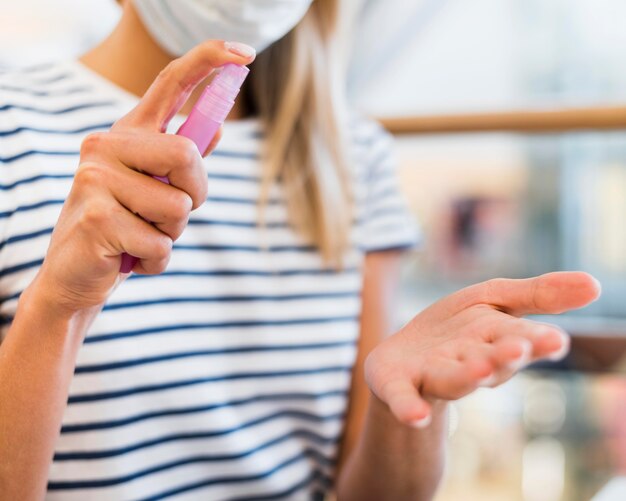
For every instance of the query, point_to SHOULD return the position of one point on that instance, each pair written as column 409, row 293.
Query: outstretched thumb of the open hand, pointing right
column 552, row 293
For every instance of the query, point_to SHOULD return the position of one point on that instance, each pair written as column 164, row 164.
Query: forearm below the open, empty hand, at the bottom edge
column 394, row 461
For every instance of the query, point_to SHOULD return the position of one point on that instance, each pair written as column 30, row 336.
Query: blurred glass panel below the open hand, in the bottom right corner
column 559, row 438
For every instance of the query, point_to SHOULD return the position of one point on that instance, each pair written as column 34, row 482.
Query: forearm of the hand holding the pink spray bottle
column 37, row 361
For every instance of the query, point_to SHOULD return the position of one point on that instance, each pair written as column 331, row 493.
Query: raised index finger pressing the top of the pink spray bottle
column 176, row 82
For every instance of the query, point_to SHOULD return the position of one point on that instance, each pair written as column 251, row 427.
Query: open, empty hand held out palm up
column 475, row 337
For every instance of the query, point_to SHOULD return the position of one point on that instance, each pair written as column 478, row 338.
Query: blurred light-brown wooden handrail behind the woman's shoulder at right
column 528, row 121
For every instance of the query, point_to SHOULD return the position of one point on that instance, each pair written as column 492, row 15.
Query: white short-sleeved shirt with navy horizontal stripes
column 227, row 376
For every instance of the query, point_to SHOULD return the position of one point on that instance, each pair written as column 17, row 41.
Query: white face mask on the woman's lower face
column 179, row 25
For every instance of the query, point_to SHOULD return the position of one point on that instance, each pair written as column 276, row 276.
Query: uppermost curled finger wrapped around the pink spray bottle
column 165, row 155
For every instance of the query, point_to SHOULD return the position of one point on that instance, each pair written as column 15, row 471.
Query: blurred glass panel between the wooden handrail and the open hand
column 517, row 206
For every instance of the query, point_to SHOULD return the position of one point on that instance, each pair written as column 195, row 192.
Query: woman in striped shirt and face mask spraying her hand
column 243, row 368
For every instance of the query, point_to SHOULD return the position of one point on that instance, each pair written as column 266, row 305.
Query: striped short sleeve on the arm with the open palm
column 386, row 223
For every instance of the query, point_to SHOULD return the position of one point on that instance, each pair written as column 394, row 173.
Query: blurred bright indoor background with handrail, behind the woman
column 496, row 193
